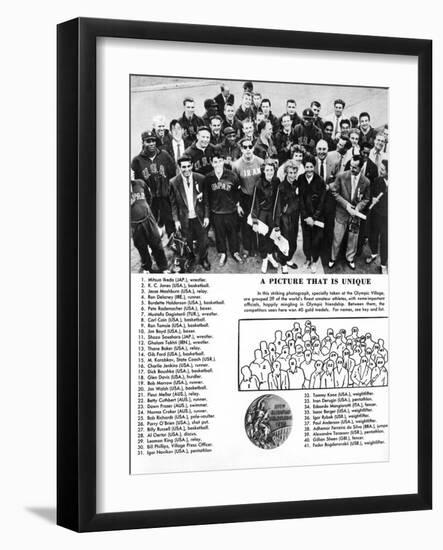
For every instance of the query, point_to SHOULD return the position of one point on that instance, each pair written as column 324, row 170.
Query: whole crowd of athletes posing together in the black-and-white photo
column 254, row 178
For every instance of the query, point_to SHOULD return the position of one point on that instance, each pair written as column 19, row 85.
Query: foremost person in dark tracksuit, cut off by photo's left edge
column 145, row 231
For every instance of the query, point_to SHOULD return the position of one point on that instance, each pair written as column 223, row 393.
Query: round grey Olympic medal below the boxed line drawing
column 268, row 421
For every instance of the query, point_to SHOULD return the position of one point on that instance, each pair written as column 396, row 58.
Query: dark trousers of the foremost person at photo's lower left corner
column 145, row 235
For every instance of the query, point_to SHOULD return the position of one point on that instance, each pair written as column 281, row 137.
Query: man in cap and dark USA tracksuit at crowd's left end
column 156, row 168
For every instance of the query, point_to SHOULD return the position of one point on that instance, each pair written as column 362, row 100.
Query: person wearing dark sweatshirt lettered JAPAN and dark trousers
column 221, row 198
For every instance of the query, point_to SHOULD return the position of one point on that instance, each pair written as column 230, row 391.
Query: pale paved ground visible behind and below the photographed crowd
column 154, row 95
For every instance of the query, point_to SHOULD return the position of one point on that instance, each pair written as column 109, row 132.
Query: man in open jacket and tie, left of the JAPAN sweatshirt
column 188, row 209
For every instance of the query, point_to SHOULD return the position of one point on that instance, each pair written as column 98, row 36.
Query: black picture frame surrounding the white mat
column 76, row 274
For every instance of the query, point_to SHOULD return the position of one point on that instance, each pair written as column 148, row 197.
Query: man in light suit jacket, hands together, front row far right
column 352, row 193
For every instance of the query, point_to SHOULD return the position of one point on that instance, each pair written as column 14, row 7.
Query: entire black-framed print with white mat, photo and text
column 244, row 320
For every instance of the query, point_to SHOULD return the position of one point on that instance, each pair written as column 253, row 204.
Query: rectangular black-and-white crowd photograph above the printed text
column 258, row 177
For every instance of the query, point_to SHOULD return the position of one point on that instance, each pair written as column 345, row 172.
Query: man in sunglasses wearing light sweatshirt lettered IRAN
column 248, row 170
